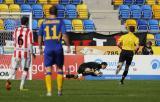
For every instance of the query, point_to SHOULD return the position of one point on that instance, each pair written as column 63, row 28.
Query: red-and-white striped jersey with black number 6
column 23, row 40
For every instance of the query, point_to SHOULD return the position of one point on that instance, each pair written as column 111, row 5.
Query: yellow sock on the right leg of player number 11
column 59, row 80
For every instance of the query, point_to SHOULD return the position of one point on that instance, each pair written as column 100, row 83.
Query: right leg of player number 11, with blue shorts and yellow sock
column 59, row 63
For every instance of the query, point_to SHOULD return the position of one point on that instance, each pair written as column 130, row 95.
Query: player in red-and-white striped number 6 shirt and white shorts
column 23, row 39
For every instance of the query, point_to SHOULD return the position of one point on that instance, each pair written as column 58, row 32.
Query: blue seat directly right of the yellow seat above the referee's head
column 142, row 25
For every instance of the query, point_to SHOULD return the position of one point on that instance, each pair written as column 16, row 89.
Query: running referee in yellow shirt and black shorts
column 129, row 44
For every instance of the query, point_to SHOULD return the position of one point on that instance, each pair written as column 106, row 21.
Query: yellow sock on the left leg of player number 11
column 48, row 81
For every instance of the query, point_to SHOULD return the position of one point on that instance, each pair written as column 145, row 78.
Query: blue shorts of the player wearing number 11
column 52, row 57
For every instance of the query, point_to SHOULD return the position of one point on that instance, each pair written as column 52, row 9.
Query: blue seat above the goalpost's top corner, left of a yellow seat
column 37, row 11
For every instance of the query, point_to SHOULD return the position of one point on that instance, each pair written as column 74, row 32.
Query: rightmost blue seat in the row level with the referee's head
column 153, row 26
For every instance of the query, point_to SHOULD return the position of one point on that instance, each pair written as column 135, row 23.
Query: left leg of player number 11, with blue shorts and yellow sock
column 48, row 61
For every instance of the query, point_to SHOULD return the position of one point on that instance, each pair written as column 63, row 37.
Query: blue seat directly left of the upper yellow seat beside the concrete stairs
column 71, row 11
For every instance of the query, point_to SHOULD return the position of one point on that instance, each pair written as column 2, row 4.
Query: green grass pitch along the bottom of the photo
column 85, row 91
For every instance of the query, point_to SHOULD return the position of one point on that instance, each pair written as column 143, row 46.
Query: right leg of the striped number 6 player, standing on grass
column 25, row 66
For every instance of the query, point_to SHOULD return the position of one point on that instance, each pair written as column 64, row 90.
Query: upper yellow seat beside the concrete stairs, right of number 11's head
column 82, row 11
